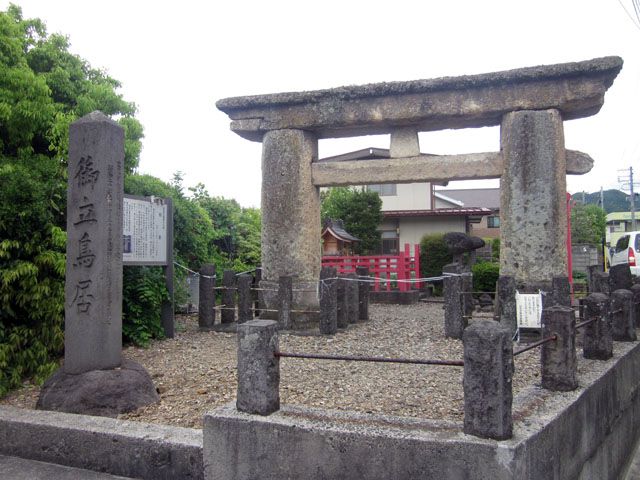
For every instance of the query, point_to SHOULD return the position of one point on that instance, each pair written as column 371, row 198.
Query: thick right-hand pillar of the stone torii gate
column 533, row 196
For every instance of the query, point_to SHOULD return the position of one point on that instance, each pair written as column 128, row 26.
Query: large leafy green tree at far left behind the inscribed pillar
column 43, row 88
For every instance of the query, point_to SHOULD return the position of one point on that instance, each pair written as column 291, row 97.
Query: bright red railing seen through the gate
column 385, row 268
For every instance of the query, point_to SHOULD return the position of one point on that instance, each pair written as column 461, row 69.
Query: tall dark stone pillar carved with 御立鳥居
column 93, row 282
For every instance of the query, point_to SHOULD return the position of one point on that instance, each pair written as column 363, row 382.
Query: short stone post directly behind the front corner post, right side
column 558, row 358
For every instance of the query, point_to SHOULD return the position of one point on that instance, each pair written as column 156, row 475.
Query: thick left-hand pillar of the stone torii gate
column 291, row 225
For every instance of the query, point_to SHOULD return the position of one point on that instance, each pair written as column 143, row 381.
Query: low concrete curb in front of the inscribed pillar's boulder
column 118, row 447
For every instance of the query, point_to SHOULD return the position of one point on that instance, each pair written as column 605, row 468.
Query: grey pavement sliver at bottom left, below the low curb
column 14, row 468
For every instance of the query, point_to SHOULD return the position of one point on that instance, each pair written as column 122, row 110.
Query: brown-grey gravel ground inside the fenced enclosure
column 196, row 371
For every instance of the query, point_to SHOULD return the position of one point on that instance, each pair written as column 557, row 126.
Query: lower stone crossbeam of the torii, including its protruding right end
column 426, row 168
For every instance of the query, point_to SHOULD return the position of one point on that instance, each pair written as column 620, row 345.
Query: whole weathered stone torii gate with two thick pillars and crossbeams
column 529, row 104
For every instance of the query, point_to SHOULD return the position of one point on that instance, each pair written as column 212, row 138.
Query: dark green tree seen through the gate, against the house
column 360, row 210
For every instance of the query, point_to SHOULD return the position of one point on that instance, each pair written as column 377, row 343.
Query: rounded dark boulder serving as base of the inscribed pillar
column 104, row 393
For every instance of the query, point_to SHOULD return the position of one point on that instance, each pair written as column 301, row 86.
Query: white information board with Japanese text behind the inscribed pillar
column 144, row 231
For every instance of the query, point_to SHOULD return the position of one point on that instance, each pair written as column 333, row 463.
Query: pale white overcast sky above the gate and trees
column 176, row 59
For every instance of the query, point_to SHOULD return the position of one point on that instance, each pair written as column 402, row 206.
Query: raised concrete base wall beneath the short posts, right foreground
column 585, row 434
